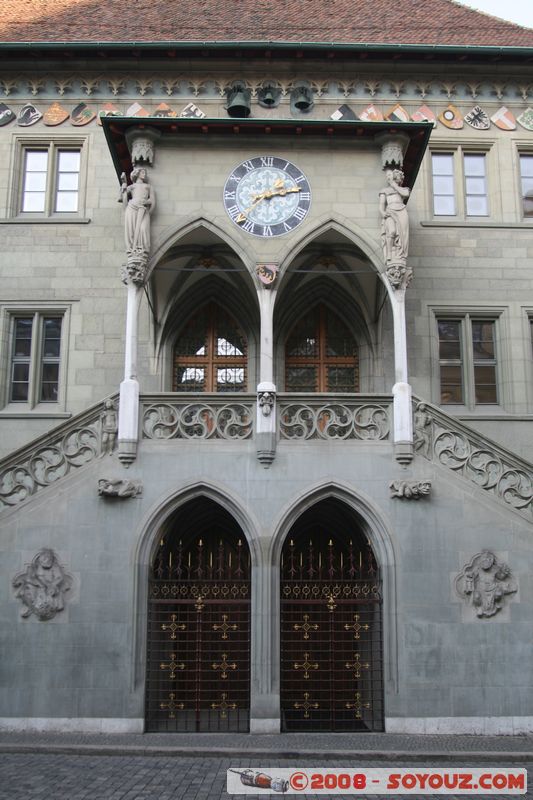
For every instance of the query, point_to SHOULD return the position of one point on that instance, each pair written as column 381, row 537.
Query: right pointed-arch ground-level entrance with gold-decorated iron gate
column 331, row 624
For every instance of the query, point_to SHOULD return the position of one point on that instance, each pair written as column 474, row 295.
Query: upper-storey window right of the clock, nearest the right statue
column 449, row 171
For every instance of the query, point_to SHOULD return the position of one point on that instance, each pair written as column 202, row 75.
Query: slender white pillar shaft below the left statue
column 128, row 416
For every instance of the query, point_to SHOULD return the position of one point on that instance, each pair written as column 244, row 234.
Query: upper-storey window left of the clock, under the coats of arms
column 50, row 179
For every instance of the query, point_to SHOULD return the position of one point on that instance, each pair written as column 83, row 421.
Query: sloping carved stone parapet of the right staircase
column 445, row 440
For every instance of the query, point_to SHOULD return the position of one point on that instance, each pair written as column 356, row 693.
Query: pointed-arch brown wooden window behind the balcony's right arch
column 321, row 355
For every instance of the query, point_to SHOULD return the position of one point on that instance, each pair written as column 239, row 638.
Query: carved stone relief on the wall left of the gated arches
column 42, row 587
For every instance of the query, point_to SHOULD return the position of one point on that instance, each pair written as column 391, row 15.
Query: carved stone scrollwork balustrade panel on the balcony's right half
column 349, row 420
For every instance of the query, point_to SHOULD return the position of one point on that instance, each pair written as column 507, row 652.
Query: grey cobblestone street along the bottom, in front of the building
column 40, row 776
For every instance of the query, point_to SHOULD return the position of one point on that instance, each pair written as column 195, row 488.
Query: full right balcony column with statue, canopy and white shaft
column 395, row 241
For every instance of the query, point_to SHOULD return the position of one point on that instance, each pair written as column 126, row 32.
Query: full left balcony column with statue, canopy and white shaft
column 138, row 198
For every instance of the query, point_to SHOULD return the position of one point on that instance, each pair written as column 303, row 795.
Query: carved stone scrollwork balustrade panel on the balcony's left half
column 216, row 419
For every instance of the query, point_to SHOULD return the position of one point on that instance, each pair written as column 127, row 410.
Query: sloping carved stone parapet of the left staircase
column 52, row 456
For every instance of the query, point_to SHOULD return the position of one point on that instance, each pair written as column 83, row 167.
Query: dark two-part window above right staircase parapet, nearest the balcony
column 467, row 361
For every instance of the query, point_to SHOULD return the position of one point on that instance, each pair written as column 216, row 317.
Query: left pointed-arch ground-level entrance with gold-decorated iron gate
column 198, row 660
